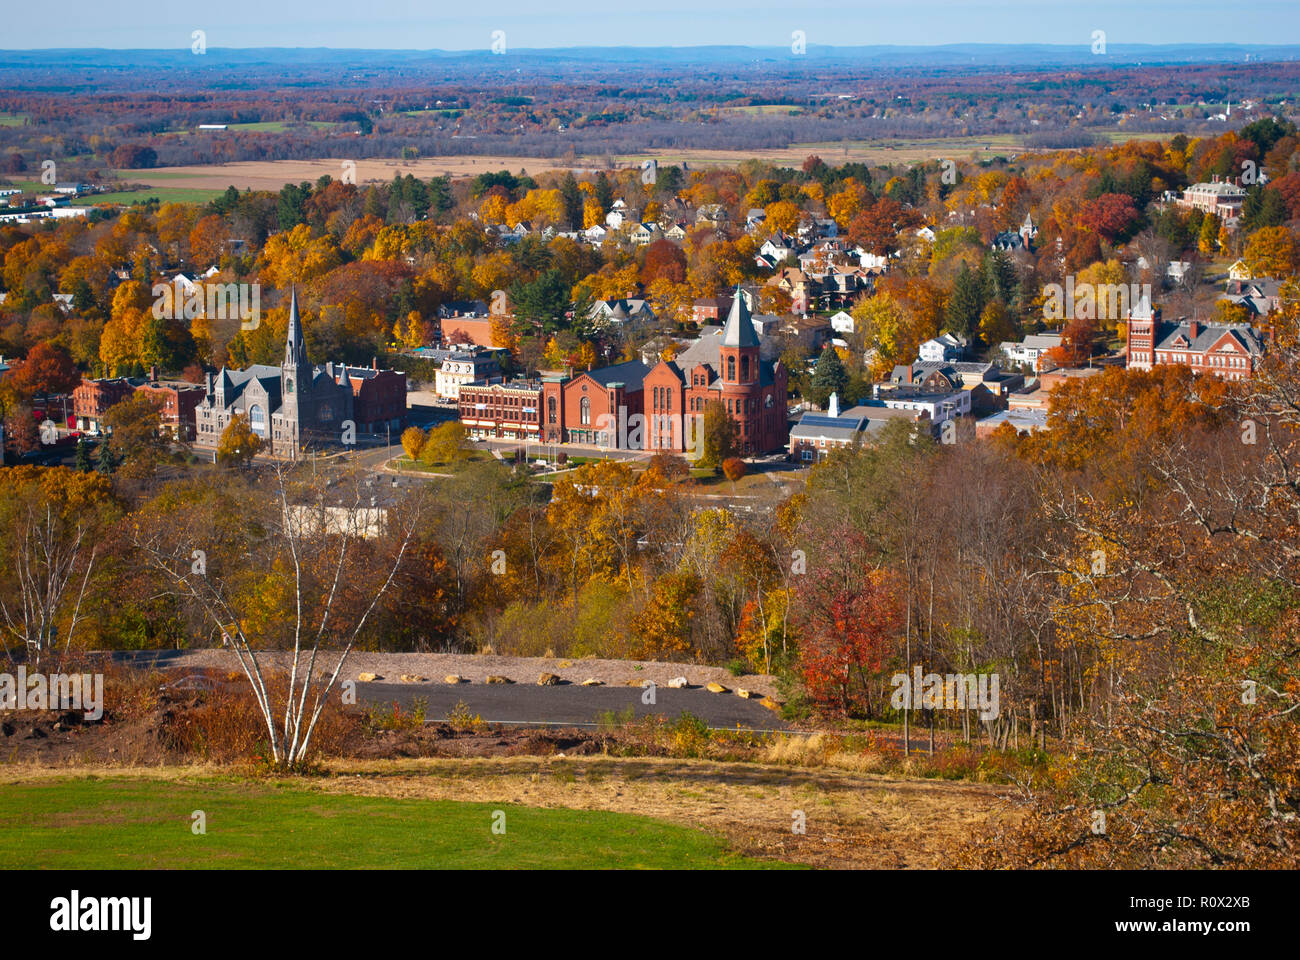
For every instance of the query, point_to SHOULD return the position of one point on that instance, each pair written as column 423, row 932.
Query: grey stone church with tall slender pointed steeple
column 288, row 407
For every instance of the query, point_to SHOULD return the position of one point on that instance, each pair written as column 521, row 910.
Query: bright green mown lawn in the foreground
column 146, row 824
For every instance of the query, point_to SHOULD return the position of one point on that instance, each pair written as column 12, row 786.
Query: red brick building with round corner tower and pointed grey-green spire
column 726, row 369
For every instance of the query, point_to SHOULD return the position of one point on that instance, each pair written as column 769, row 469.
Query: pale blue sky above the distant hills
column 437, row 24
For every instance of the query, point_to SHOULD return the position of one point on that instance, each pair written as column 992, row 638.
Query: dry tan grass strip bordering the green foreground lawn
column 853, row 820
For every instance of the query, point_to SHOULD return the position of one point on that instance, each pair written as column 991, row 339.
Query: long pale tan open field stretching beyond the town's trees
column 272, row 175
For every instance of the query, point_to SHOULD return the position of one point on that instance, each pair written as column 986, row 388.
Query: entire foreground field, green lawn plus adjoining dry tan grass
column 590, row 811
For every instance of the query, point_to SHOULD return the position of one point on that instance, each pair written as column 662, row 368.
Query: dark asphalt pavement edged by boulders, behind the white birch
column 573, row 704
